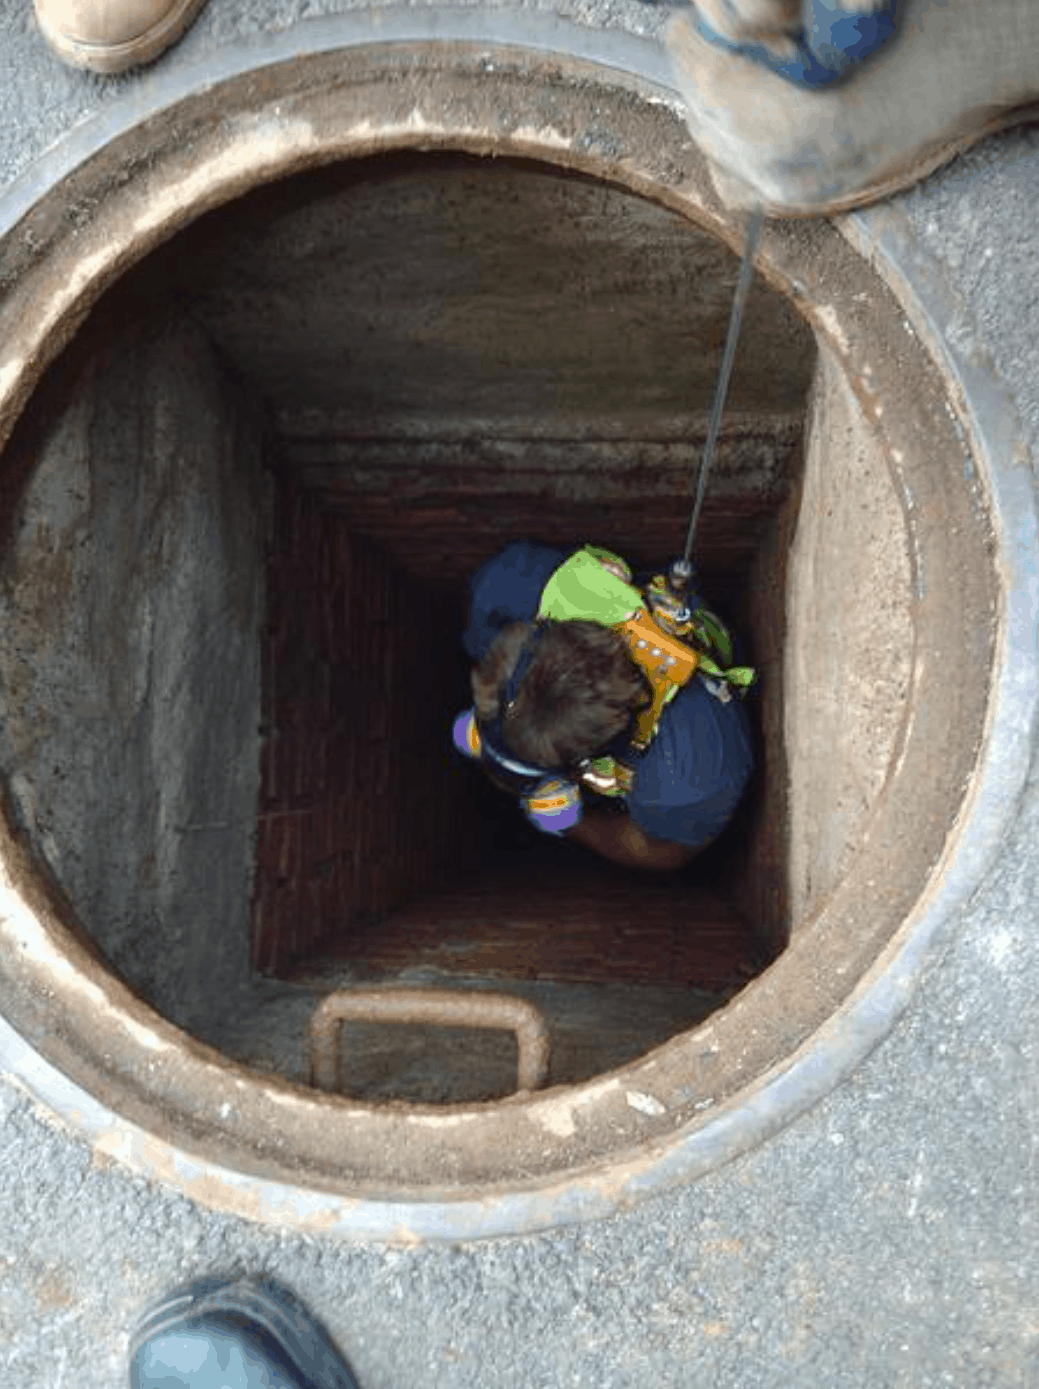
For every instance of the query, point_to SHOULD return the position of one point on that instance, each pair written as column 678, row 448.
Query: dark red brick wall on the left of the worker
column 359, row 808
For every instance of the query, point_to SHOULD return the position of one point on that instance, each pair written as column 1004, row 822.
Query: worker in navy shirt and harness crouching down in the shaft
column 616, row 717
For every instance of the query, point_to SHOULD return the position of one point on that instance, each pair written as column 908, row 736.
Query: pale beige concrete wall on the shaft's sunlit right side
column 851, row 641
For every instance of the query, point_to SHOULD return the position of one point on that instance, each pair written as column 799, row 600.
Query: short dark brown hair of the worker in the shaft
column 577, row 695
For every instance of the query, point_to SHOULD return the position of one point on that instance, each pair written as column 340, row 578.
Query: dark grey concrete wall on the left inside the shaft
column 131, row 599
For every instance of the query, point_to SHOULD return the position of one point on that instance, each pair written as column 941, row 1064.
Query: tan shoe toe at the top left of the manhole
column 113, row 35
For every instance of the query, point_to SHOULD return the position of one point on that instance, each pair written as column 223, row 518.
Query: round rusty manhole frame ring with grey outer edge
column 147, row 1094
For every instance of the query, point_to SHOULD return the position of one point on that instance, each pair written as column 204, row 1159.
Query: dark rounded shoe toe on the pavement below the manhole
column 234, row 1334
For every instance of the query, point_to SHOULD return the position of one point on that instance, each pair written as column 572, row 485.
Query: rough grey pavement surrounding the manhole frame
column 888, row 1237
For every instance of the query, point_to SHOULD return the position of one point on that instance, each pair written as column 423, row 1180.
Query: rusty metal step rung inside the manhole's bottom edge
column 433, row 1008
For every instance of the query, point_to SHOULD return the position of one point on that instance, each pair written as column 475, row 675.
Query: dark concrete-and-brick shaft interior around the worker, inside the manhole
column 249, row 499
